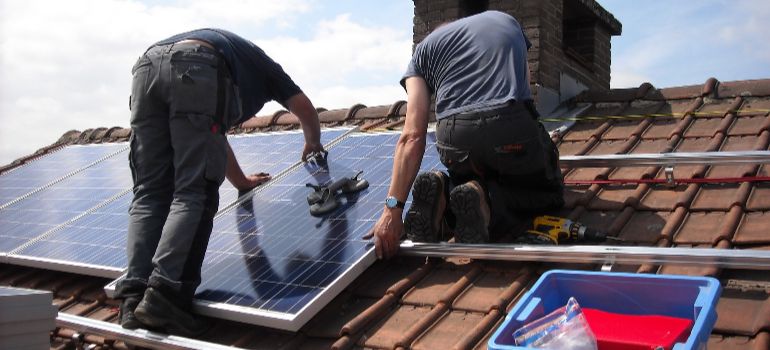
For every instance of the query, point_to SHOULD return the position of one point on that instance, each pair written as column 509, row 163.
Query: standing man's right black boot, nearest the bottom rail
column 156, row 311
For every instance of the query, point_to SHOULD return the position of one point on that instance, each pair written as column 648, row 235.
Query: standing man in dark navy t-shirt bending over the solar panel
column 187, row 91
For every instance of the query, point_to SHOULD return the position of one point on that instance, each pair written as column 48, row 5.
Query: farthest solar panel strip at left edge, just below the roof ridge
column 18, row 182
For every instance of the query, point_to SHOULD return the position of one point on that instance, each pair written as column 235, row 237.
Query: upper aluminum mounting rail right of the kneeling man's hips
column 665, row 159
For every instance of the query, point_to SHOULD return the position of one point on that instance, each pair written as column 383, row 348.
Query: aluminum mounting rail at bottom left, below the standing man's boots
column 136, row 337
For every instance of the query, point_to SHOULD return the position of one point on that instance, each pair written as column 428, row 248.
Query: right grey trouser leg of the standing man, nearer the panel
column 199, row 161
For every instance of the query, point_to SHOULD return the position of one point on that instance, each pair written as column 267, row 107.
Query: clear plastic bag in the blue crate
column 564, row 328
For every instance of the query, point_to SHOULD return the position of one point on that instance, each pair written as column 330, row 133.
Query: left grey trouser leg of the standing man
column 151, row 163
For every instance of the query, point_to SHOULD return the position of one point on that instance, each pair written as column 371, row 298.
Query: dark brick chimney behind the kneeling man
column 570, row 39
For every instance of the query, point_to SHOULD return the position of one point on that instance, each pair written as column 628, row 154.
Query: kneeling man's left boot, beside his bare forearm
column 424, row 217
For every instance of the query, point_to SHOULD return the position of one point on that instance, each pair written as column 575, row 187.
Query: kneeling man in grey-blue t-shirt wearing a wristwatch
column 502, row 164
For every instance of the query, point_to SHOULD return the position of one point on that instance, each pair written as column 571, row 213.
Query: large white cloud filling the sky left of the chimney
column 66, row 64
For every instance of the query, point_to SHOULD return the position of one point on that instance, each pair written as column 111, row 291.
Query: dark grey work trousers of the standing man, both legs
column 178, row 155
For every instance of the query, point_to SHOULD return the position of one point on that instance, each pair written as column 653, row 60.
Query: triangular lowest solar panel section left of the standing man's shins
column 94, row 244
